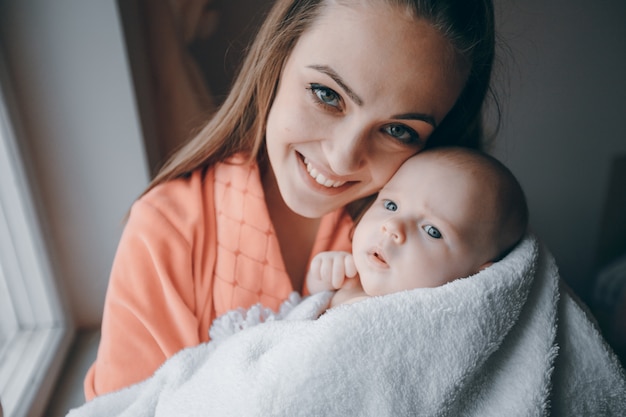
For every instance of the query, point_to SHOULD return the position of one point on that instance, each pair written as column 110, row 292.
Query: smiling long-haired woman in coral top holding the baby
column 332, row 98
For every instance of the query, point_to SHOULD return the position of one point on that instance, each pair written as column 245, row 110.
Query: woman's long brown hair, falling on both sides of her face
column 239, row 124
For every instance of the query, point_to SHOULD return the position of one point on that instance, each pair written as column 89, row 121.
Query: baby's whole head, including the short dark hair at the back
column 447, row 213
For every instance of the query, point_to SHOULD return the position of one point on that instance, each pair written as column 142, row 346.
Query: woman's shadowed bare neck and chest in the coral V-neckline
column 296, row 234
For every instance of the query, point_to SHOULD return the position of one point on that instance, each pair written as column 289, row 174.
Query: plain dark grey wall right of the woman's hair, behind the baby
column 565, row 118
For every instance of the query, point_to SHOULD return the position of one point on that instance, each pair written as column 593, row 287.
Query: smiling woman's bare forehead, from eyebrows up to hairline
column 385, row 57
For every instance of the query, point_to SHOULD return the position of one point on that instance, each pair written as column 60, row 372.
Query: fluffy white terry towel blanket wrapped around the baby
column 508, row 341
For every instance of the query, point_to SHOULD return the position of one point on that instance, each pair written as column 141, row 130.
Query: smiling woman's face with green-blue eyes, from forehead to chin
column 361, row 92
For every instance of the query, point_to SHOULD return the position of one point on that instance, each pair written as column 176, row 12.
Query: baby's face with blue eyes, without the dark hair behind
column 432, row 223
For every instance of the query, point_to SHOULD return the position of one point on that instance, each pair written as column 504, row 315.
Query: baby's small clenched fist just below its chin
column 329, row 270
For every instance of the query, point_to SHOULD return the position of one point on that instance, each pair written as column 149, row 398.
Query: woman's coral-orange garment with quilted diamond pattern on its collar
column 192, row 249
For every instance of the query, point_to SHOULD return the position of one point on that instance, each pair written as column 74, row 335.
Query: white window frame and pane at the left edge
column 34, row 330
